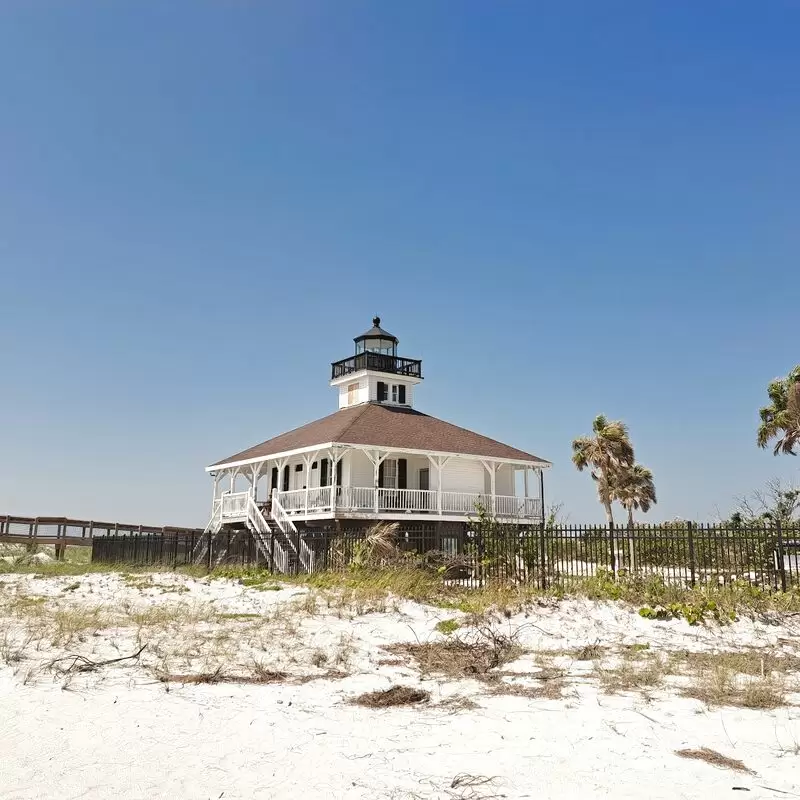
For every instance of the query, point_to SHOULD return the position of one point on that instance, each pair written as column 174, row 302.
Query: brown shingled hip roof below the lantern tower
column 384, row 426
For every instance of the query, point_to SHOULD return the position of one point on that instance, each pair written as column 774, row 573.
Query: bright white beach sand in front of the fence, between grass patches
column 120, row 733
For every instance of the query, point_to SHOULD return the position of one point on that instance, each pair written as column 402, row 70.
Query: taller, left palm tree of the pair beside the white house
column 607, row 454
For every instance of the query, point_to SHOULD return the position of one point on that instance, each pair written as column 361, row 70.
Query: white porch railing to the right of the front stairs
column 411, row 501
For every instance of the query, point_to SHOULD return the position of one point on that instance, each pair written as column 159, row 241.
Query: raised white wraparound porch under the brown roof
column 363, row 482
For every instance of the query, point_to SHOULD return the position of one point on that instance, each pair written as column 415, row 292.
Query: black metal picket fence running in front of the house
column 684, row 554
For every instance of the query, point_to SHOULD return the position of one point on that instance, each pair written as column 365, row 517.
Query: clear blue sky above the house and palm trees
column 564, row 208
